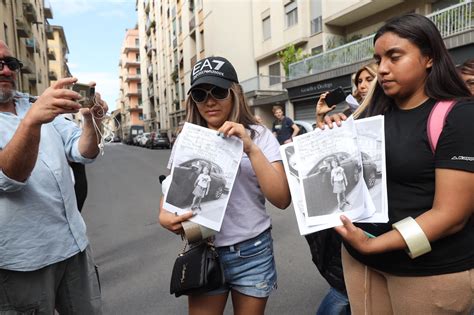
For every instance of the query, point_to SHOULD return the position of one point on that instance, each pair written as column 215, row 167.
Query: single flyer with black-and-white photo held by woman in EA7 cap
column 202, row 174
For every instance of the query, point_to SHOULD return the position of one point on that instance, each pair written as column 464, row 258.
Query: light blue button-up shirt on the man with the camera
column 39, row 221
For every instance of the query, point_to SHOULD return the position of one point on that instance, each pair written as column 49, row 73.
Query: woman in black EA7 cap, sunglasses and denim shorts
column 244, row 244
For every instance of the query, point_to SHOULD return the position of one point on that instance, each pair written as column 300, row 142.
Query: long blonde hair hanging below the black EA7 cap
column 240, row 110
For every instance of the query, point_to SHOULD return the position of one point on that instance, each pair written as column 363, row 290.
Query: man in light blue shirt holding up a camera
column 45, row 260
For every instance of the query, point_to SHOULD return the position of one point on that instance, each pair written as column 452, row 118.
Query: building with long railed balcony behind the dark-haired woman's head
column 348, row 28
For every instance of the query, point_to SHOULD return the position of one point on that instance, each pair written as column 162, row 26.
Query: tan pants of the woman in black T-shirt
column 374, row 292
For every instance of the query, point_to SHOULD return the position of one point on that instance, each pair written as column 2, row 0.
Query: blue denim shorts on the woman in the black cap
column 249, row 267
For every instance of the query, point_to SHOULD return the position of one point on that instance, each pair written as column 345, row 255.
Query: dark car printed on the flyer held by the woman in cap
column 184, row 175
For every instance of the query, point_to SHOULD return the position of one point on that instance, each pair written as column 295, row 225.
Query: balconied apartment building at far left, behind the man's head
column 25, row 29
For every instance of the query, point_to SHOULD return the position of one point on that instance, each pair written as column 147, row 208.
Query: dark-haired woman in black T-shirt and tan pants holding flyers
column 422, row 260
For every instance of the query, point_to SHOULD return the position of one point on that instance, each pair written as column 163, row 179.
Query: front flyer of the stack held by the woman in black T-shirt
column 330, row 172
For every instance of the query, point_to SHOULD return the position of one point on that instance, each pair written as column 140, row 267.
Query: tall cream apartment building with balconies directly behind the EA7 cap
column 174, row 34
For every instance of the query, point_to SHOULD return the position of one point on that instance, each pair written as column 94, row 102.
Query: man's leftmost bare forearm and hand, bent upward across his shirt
column 18, row 157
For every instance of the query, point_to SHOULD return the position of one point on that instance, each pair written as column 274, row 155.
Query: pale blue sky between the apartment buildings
column 95, row 31
